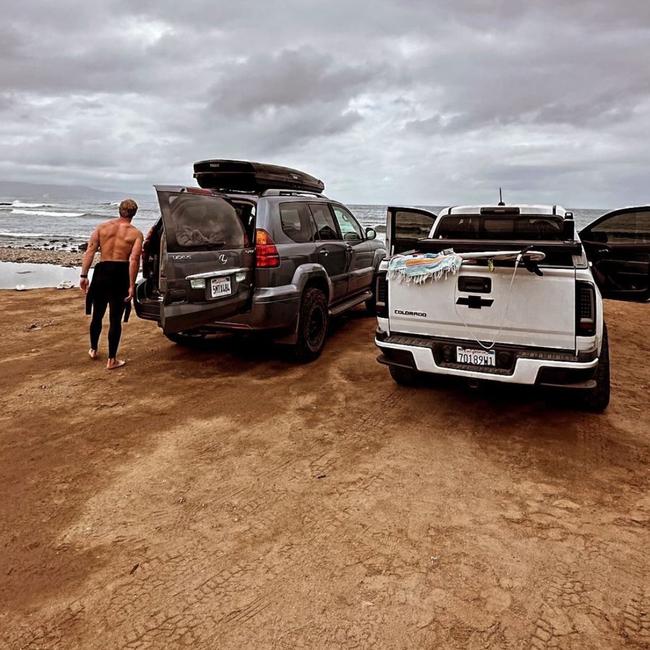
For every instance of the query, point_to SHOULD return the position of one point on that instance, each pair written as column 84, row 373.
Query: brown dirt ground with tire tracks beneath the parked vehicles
column 226, row 498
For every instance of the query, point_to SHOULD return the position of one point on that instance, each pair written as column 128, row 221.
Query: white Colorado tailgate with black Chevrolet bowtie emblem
column 533, row 311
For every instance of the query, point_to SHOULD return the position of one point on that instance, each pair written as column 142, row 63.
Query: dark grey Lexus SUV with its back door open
column 274, row 260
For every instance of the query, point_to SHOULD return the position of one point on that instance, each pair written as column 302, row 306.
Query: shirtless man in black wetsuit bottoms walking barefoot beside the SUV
column 113, row 285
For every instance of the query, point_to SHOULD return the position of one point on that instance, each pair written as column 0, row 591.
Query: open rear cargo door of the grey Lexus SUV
column 207, row 264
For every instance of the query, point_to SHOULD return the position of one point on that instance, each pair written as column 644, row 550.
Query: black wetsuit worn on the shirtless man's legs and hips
column 109, row 288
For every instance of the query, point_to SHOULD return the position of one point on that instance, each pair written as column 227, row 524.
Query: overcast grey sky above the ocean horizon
column 417, row 101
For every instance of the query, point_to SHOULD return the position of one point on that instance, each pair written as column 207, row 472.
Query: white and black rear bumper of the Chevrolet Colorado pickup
column 519, row 365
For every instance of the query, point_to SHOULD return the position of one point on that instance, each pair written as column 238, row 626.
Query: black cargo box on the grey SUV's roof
column 253, row 177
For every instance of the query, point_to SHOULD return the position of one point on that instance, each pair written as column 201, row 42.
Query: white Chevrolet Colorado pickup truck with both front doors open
column 532, row 319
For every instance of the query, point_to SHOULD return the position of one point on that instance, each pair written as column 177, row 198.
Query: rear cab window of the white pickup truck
column 524, row 227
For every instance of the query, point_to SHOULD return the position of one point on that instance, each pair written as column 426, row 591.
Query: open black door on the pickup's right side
column 618, row 246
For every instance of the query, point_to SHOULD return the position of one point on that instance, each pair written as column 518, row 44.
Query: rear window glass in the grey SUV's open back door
column 198, row 222
